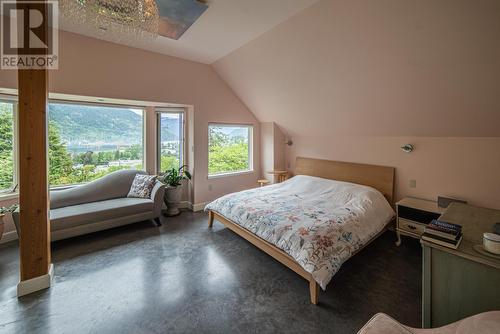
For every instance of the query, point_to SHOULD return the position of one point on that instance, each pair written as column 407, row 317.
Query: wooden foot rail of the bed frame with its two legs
column 270, row 249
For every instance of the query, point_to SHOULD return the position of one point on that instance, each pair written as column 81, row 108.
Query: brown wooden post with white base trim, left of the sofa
column 34, row 238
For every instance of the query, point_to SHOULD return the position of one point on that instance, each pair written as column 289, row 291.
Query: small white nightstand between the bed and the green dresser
column 413, row 215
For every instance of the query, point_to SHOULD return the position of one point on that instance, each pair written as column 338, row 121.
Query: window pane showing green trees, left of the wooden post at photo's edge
column 7, row 161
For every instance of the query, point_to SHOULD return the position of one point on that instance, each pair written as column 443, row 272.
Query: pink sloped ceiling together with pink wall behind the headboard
column 353, row 80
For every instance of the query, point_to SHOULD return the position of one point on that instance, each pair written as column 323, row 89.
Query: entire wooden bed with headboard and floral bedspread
column 315, row 221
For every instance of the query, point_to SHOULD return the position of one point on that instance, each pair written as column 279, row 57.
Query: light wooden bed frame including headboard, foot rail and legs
column 378, row 177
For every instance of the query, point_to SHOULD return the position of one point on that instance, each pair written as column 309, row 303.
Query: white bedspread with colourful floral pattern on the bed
column 320, row 223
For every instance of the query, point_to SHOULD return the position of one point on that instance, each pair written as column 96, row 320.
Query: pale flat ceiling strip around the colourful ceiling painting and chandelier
column 224, row 27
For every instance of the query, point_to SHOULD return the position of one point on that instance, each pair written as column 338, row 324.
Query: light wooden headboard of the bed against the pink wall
column 378, row 177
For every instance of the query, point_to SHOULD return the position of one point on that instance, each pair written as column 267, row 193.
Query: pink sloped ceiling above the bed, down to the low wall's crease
column 388, row 68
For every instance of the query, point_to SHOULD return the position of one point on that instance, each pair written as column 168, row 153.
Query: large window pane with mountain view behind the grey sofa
column 88, row 141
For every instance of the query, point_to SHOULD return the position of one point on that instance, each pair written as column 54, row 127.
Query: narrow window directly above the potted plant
column 170, row 139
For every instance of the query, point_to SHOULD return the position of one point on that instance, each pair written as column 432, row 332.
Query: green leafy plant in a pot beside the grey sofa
column 173, row 192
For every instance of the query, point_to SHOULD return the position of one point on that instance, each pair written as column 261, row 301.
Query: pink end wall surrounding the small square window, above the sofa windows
column 92, row 67
